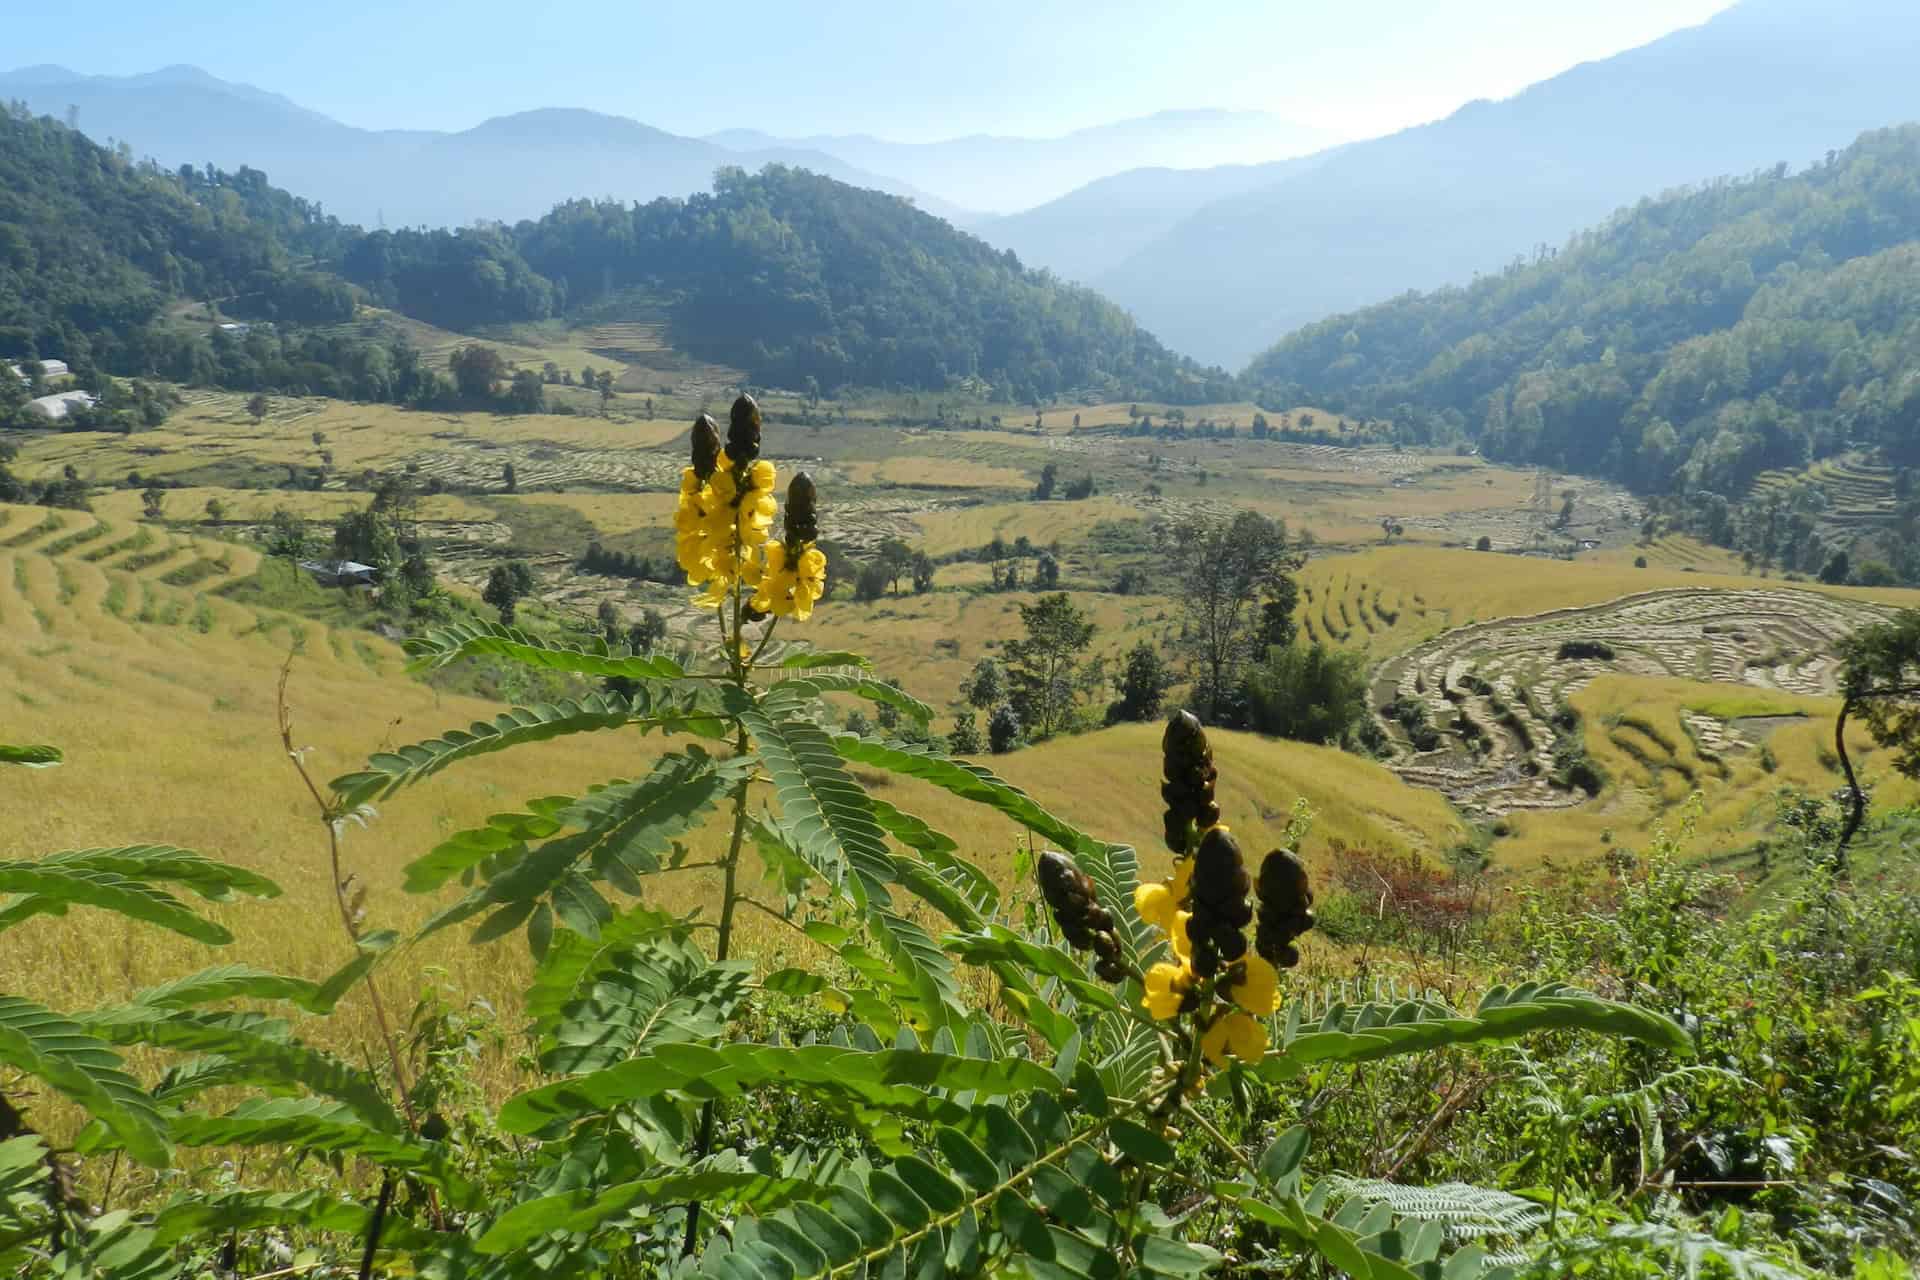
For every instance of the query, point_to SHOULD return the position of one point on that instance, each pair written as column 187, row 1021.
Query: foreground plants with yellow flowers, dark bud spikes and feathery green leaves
column 965, row 1091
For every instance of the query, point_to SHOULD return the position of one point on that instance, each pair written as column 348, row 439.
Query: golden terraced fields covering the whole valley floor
column 87, row 602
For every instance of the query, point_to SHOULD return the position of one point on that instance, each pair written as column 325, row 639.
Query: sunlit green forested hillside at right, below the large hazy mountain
column 1689, row 344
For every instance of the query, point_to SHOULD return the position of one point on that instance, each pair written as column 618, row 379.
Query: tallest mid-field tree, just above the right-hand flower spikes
column 1226, row 569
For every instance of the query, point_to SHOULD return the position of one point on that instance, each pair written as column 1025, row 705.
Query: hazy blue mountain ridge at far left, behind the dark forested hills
column 510, row 168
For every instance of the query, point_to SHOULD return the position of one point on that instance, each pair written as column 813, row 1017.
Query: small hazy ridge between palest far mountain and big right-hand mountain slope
column 1101, row 225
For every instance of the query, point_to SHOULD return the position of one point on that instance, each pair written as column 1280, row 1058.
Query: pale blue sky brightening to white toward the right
column 907, row 70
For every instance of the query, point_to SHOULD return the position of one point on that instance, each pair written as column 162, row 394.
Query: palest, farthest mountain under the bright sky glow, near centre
column 1003, row 176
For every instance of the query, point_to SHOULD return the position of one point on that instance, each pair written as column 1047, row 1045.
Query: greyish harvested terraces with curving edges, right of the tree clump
column 1493, row 688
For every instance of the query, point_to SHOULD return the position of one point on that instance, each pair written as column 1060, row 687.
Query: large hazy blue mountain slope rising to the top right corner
column 1767, row 82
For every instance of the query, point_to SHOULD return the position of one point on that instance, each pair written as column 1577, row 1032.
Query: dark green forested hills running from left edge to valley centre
column 784, row 275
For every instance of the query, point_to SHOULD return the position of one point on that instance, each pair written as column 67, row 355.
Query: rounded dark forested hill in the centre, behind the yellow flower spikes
column 794, row 275
